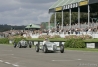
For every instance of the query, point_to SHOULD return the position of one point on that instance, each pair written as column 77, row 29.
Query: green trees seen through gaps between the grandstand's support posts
column 74, row 19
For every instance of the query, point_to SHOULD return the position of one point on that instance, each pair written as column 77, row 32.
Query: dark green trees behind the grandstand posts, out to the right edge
column 74, row 17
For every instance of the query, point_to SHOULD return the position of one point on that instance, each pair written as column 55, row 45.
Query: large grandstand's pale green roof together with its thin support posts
column 74, row 6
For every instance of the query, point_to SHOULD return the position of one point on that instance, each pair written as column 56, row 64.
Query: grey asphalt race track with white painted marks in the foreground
column 27, row 57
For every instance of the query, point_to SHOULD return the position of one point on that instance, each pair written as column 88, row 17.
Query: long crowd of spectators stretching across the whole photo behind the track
column 75, row 29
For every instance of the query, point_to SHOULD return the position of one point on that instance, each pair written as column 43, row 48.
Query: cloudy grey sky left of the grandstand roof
column 24, row 12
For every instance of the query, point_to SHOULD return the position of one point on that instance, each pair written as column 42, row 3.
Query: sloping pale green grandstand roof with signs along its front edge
column 60, row 5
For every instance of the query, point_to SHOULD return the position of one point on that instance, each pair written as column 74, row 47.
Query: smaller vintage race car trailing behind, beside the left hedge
column 23, row 44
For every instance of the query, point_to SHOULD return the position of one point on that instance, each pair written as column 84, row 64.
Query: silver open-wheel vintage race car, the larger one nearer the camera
column 49, row 47
